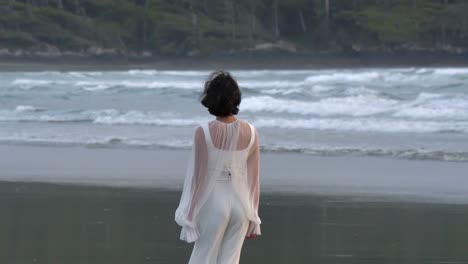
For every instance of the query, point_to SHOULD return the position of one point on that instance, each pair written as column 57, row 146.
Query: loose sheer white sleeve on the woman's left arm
column 194, row 184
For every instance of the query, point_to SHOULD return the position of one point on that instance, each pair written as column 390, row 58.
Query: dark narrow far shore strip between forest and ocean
column 235, row 62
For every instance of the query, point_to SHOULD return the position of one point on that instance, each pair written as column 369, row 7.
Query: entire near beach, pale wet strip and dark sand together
column 85, row 205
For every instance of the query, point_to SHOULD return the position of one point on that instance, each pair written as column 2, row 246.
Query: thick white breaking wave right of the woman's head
column 366, row 103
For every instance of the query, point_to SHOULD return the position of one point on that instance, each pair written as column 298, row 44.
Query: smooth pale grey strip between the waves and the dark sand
column 363, row 178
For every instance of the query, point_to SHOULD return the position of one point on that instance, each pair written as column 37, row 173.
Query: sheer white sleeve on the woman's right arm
column 253, row 174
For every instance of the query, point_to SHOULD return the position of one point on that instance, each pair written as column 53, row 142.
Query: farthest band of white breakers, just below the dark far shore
column 281, row 82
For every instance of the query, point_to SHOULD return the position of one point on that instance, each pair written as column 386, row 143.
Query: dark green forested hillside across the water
column 204, row 27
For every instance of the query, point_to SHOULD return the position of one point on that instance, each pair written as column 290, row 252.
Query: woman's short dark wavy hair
column 221, row 95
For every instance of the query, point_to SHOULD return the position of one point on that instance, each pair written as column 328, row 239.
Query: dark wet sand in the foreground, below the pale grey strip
column 60, row 223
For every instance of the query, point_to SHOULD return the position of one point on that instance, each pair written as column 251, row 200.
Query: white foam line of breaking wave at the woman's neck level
column 383, row 125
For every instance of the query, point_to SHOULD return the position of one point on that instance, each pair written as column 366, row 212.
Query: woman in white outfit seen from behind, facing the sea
column 219, row 203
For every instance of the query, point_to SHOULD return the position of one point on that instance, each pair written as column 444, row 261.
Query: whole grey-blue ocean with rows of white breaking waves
column 403, row 113
